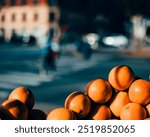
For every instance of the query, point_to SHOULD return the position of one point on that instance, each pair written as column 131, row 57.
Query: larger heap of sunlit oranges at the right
column 123, row 96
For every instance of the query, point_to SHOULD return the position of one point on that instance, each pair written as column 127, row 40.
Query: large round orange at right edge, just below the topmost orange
column 139, row 92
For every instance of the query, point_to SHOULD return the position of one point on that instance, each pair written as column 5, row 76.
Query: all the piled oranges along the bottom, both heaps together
column 123, row 96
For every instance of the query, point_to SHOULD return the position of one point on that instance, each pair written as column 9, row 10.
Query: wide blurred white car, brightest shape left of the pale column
column 118, row 41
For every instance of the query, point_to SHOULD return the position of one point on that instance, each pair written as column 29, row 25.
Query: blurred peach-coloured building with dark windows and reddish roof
column 26, row 18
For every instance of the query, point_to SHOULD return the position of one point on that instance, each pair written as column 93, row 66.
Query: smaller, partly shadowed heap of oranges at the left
column 19, row 106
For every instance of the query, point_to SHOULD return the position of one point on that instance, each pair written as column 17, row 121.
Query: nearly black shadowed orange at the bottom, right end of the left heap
column 36, row 114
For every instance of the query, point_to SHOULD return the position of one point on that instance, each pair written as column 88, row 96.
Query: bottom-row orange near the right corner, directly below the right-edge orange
column 133, row 111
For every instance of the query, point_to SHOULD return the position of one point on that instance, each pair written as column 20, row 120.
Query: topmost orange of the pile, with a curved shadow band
column 121, row 77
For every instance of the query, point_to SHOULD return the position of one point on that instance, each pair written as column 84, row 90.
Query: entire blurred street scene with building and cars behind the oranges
column 55, row 47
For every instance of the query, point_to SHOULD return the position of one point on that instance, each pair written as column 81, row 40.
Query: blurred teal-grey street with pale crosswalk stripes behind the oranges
column 21, row 67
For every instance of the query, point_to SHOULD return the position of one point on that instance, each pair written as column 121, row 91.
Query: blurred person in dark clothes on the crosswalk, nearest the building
column 52, row 51
